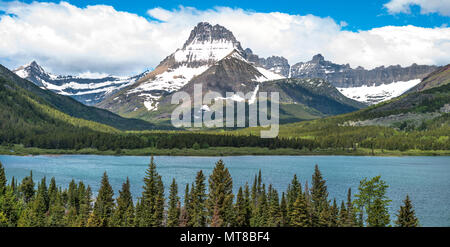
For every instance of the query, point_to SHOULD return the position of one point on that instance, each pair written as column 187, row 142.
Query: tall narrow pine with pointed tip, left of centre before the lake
column 152, row 202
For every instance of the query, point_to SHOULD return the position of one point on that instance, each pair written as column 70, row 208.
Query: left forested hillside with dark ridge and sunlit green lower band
column 51, row 108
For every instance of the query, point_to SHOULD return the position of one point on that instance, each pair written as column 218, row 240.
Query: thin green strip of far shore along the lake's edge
column 19, row 150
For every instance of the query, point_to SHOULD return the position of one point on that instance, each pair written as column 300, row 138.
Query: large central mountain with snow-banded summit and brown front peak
column 214, row 58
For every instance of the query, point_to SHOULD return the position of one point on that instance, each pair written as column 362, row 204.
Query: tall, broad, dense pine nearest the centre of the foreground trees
column 221, row 194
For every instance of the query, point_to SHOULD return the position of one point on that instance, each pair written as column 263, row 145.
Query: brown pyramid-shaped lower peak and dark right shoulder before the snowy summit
column 300, row 99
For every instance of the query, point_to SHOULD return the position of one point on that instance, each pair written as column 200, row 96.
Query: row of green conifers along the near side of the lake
column 259, row 205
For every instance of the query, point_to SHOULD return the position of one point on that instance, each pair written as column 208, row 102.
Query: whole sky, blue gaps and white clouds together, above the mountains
column 126, row 37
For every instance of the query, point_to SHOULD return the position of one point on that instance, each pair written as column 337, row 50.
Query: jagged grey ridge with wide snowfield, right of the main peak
column 369, row 86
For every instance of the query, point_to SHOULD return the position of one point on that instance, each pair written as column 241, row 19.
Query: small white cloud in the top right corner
column 426, row 6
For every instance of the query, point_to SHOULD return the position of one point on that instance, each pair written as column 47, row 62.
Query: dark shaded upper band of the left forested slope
column 68, row 106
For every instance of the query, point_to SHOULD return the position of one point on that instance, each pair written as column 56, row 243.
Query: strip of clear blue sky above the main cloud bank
column 359, row 14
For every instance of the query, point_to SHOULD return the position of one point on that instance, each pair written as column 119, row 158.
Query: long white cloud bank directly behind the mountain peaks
column 100, row 39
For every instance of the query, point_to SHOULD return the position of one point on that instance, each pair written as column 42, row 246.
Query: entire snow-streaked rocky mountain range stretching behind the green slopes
column 214, row 57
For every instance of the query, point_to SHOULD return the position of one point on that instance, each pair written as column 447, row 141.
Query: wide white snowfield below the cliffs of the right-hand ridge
column 376, row 94
